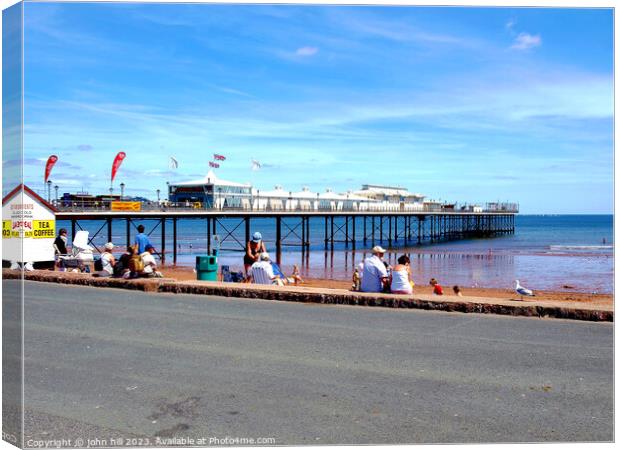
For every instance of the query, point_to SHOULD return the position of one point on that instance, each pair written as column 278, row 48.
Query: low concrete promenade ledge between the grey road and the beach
column 530, row 308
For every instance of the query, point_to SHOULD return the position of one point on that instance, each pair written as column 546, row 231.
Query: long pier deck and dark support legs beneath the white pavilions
column 292, row 227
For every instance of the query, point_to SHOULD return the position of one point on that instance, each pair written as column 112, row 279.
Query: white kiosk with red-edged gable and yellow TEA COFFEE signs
column 28, row 227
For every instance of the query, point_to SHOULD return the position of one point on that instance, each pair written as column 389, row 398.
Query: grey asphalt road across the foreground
column 108, row 363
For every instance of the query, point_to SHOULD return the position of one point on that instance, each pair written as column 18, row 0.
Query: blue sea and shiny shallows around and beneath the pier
column 547, row 252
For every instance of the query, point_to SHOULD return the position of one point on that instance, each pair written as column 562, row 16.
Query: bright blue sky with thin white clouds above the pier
column 460, row 104
